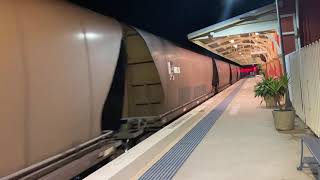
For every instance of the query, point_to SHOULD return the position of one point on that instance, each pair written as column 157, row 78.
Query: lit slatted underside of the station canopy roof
column 244, row 49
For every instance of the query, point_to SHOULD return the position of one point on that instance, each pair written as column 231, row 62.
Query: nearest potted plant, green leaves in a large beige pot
column 285, row 115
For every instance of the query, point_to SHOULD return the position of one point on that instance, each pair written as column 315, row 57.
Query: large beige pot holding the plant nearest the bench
column 284, row 119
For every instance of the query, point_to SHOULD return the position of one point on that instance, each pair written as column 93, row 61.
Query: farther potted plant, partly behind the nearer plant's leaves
column 262, row 90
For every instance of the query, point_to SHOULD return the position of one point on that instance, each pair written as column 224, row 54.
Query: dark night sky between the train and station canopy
column 173, row 19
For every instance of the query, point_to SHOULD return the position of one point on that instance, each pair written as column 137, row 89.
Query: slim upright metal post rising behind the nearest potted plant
column 287, row 103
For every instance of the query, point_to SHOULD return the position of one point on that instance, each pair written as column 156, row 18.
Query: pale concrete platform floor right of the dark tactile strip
column 243, row 144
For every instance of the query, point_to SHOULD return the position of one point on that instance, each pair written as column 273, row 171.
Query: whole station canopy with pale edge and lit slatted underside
column 250, row 38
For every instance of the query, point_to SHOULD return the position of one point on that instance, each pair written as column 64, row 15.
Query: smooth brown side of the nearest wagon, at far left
column 55, row 76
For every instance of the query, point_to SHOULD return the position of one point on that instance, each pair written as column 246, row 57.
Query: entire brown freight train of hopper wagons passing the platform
column 73, row 81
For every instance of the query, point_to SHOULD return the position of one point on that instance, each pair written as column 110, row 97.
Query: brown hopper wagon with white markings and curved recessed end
column 162, row 80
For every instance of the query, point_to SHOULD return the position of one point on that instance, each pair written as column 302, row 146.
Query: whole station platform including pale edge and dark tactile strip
column 231, row 136
